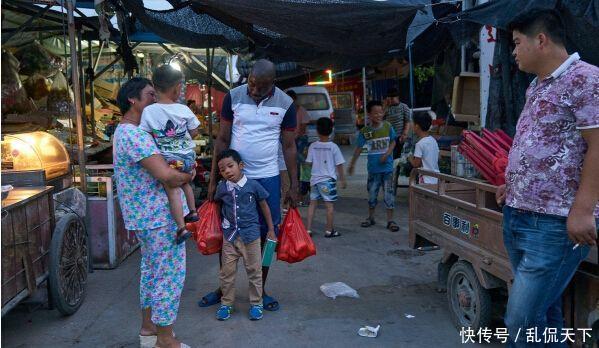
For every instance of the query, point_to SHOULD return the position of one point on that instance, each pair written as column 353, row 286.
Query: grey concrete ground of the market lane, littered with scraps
column 392, row 280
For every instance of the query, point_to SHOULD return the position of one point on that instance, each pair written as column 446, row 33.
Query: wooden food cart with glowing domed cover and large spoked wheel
column 43, row 232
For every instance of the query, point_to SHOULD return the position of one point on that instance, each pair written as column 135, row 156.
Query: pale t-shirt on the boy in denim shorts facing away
column 325, row 157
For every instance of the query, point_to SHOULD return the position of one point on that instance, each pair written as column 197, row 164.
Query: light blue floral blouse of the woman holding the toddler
column 142, row 198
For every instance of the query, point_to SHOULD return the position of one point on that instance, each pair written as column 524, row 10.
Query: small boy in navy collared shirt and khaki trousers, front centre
column 240, row 198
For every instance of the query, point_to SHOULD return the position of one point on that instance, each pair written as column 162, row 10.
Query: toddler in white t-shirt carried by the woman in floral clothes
column 173, row 125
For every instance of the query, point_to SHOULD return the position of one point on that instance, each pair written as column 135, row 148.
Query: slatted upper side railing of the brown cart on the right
column 481, row 191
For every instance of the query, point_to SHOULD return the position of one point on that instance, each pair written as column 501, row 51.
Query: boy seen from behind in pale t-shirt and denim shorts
column 327, row 161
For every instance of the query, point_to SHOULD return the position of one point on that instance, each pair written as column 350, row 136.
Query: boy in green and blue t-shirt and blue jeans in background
column 379, row 137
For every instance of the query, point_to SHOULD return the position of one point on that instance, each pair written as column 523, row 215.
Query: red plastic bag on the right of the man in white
column 295, row 244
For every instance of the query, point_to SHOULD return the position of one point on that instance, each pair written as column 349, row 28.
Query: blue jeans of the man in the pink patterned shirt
column 543, row 262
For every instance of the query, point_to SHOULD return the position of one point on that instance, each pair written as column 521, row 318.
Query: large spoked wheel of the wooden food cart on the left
column 69, row 264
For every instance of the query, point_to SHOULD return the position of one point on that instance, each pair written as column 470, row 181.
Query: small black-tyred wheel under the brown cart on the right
column 469, row 302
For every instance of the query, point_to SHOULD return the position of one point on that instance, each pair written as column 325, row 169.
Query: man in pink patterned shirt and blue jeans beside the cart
column 552, row 185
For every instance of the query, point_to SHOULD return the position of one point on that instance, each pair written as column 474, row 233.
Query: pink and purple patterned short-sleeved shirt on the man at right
column 546, row 158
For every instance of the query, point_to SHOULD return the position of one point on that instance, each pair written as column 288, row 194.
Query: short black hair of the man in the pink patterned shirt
column 533, row 22
